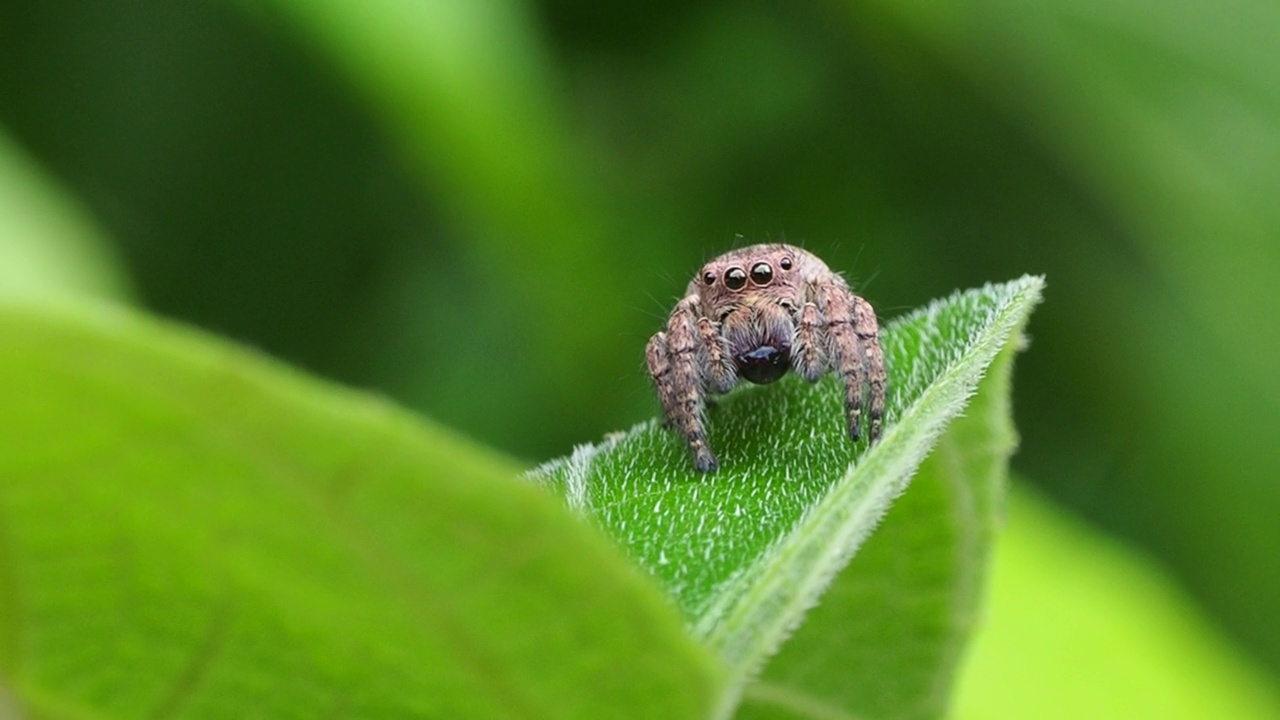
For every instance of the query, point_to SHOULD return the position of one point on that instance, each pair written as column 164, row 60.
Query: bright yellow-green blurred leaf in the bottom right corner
column 1080, row 627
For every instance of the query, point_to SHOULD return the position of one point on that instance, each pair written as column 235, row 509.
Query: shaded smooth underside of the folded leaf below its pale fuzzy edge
column 890, row 632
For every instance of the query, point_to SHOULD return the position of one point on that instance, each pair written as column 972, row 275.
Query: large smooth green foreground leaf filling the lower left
column 190, row 530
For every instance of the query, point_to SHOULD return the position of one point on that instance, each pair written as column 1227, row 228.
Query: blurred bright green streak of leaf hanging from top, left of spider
column 469, row 92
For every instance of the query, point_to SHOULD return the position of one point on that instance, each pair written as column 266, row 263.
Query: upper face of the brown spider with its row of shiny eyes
column 751, row 277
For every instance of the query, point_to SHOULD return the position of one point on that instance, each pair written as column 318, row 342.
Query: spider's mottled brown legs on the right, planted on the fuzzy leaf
column 856, row 353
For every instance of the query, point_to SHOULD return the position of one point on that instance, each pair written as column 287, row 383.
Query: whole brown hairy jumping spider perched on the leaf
column 757, row 313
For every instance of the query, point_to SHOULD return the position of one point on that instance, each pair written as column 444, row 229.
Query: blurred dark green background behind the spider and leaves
column 484, row 208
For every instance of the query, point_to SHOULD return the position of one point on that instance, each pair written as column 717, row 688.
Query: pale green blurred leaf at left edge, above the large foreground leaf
column 49, row 245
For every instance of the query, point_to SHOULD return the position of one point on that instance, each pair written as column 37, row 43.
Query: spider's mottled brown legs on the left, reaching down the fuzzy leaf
column 674, row 361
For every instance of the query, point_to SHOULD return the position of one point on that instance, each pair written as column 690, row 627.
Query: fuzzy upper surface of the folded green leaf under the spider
column 749, row 550
